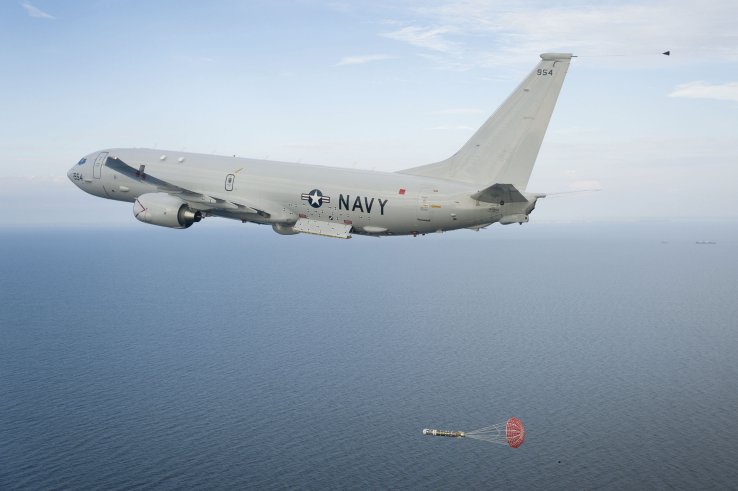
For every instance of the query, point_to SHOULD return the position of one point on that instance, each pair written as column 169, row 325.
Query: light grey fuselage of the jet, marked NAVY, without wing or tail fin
column 373, row 203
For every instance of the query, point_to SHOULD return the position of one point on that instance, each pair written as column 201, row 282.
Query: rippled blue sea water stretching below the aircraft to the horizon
column 230, row 357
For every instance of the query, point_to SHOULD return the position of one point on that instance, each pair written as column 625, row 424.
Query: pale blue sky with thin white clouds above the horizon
column 381, row 85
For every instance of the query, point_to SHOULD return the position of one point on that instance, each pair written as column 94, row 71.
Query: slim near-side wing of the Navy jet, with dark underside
column 201, row 201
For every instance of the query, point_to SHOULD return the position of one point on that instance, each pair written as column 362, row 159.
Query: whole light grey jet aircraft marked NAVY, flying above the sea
column 481, row 184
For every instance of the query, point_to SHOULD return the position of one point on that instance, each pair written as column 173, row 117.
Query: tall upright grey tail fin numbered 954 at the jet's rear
column 505, row 148
